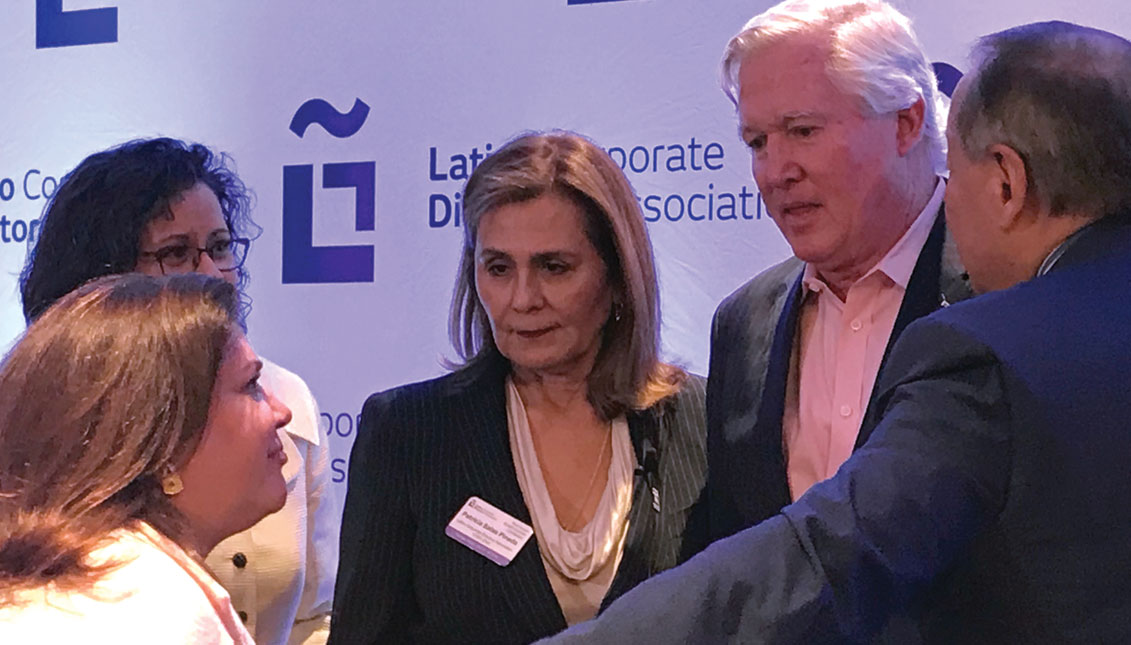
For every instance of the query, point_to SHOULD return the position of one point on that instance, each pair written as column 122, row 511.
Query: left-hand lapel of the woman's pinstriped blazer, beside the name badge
column 489, row 469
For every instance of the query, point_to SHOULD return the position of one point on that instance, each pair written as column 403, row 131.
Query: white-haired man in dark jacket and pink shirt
column 840, row 109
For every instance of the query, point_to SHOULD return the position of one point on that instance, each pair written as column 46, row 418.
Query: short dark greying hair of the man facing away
column 1060, row 96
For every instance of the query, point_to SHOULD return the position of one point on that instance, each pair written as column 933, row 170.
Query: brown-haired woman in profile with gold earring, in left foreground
column 135, row 435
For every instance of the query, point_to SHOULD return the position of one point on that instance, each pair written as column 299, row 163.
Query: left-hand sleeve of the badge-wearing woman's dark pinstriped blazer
column 374, row 600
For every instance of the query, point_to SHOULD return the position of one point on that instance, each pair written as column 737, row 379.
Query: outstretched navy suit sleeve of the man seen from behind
column 860, row 546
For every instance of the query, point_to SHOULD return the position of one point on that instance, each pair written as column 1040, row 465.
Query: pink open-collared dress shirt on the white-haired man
column 841, row 347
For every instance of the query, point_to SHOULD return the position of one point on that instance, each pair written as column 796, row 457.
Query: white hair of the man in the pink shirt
column 875, row 56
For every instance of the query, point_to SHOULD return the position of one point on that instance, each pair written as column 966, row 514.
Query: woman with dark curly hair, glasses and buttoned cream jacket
column 162, row 207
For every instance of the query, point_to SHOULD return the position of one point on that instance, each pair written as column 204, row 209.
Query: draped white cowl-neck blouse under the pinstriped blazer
column 582, row 565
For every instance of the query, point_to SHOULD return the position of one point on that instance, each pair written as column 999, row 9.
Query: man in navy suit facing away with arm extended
column 992, row 496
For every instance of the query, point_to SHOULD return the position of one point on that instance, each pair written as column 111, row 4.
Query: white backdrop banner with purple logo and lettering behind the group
column 357, row 123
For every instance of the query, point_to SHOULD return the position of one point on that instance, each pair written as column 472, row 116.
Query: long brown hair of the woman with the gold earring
column 107, row 393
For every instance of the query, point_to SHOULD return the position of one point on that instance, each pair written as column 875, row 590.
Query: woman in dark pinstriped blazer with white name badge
column 556, row 469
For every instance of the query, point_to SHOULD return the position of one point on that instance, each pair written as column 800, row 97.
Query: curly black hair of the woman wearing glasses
column 93, row 225
